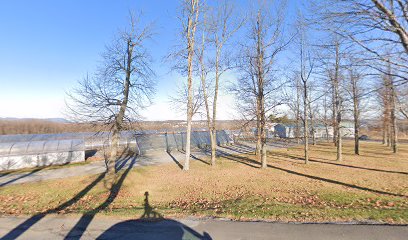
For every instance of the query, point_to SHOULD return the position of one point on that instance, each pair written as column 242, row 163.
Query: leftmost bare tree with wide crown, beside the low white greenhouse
column 120, row 89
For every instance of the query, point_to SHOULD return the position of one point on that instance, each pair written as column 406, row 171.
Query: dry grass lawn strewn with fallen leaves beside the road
column 369, row 187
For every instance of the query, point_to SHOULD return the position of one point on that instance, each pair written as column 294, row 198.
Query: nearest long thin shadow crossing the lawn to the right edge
column 251, row 163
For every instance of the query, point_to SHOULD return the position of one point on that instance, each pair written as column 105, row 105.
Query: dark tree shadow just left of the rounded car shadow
column 80, row 227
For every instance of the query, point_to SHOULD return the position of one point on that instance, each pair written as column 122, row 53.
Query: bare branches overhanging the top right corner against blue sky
column 376, row 26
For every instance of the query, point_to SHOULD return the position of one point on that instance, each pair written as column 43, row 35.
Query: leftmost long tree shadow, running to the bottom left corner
column 27, row 224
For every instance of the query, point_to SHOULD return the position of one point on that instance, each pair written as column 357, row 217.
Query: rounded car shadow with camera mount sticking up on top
column 153, row 226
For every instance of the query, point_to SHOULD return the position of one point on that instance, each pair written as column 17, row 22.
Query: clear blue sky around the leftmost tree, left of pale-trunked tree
column 47, row 46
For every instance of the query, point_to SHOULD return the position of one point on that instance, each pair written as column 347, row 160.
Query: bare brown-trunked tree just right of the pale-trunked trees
column 257, row 87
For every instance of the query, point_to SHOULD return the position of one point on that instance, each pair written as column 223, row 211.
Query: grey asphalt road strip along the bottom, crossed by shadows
column 67, row 227
